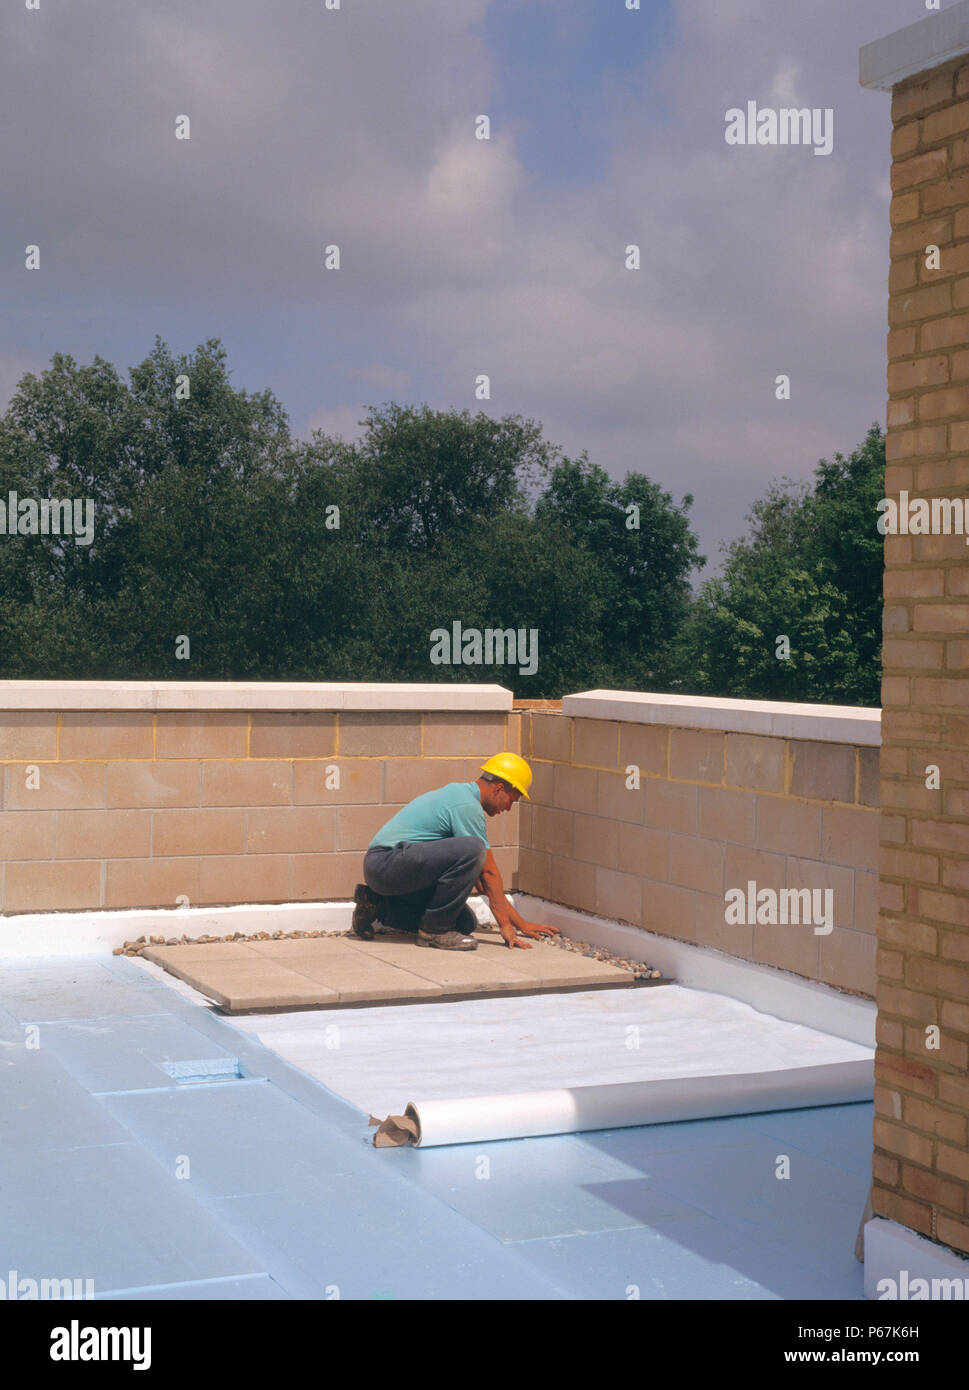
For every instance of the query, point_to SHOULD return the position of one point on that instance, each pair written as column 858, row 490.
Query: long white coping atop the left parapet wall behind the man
column 250, row 696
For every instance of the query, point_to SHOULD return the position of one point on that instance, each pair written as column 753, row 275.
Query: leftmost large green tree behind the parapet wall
column 187, row 496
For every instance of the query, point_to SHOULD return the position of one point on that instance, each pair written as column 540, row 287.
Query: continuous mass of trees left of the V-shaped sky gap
column 211, row 525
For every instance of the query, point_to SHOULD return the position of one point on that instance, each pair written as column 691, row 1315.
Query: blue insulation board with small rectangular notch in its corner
column 129, row 1054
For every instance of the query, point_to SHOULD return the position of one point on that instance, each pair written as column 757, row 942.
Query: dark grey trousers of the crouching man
column 429, row 882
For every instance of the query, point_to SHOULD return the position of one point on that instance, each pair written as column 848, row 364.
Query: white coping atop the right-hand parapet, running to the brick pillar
column 818, row 723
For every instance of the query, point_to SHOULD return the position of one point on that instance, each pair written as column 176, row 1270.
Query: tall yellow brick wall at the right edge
column 922, row 1096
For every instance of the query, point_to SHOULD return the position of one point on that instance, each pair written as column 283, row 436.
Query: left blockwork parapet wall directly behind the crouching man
column 138, row 808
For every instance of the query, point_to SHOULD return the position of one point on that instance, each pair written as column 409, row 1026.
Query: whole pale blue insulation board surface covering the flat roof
column 155, row 1147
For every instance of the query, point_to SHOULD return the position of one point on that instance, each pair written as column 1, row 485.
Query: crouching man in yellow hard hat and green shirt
column 427, row 860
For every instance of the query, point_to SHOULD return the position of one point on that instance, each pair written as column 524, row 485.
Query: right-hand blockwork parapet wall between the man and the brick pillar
column 715, row 810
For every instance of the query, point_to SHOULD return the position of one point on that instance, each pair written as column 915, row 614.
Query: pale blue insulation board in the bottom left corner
column 115, row 1216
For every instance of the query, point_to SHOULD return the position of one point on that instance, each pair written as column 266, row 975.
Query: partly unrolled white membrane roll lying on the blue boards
column 624, row 1104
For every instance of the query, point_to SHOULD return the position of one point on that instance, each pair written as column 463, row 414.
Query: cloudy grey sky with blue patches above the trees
column 465, row 256
